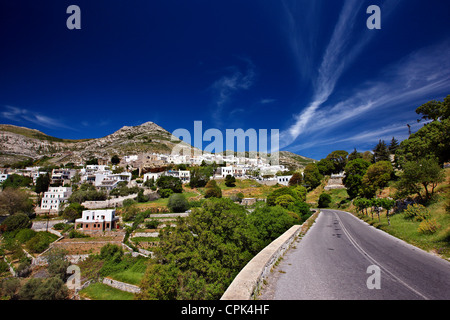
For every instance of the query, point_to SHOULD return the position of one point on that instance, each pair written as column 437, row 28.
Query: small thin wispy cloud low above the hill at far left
column 25, row 116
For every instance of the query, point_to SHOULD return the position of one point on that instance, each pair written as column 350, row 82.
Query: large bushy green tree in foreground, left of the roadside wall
column 202, row 254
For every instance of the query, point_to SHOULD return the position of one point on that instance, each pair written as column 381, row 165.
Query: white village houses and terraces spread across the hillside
column 102, row 220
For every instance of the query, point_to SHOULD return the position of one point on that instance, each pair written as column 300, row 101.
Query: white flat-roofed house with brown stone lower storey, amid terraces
column 97, row 220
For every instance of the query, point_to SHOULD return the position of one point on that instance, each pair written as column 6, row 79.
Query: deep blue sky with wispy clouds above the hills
column 309, row 68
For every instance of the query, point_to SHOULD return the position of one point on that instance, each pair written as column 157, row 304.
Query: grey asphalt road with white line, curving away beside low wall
column 331, row 263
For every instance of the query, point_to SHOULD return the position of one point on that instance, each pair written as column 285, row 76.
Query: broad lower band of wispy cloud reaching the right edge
column 423, row 73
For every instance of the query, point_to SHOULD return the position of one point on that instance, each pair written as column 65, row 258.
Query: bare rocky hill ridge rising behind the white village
column 19, row 143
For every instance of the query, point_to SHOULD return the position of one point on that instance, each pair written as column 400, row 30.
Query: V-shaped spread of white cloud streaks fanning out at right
column 423, row 73
